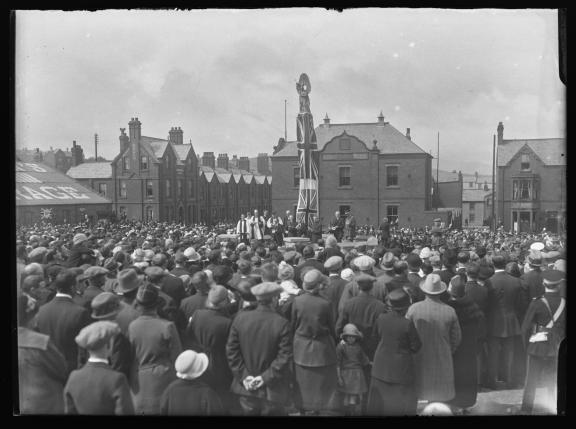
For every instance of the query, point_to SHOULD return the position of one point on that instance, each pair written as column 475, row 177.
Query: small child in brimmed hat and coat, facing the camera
column 352, row 362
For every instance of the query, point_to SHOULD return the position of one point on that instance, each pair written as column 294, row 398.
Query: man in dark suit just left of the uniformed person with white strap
column 505, row 302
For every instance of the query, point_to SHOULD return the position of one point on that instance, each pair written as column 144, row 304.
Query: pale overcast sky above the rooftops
column 223, row 76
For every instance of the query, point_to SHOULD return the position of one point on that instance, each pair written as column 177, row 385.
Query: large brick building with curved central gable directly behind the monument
column 371, row 168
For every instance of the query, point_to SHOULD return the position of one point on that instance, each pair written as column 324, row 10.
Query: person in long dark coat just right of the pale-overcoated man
column 472, row 324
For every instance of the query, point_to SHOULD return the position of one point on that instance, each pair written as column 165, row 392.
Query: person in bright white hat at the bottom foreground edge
column 188, row 395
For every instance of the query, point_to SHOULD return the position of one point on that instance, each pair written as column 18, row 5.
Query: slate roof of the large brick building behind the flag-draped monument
column 389, row 139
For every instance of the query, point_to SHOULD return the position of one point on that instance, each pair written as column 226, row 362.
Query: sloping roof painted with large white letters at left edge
column 40, row 185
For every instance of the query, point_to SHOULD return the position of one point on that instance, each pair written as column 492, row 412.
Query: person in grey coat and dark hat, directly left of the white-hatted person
column 156, row 345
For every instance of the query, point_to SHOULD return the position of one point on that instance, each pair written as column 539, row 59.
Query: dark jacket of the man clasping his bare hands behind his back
column 270, row 356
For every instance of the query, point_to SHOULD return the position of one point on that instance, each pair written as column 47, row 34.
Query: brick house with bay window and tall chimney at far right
column 531, row 183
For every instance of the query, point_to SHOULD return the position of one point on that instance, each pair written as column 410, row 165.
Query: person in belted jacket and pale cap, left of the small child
column 314, row 347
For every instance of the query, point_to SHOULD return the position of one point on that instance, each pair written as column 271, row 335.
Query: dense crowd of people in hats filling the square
column 153, row 318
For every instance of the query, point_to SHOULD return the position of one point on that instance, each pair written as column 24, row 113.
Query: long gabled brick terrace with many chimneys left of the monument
column 164, row 179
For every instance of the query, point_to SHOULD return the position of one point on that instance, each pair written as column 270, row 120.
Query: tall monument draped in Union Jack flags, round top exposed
column 307, row 155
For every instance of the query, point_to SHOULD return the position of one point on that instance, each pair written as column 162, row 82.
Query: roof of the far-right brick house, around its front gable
column 550, row 151
